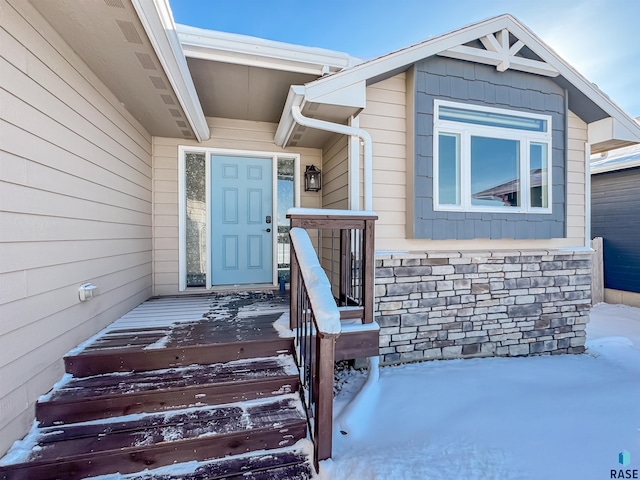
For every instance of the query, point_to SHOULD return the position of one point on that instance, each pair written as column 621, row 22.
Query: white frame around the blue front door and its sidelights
column 182, row 204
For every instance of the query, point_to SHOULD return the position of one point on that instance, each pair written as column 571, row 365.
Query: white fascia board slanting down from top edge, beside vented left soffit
column 157, row 20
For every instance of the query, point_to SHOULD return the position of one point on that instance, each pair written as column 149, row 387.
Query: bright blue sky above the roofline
column 598, row 37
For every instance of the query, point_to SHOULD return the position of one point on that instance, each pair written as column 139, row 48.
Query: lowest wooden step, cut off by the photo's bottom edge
column 291, row 463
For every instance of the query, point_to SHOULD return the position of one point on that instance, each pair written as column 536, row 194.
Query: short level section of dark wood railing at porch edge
column 345, row 244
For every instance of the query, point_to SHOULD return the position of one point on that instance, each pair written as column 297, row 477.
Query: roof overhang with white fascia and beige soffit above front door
column 248, row 78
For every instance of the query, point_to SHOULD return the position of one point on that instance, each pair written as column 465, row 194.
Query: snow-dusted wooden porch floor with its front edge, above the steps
column 171, row 332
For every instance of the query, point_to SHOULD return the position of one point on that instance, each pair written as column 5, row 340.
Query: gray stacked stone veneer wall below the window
column 460, row 305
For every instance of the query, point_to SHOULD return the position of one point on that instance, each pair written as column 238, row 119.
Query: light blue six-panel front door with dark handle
column 241, row 223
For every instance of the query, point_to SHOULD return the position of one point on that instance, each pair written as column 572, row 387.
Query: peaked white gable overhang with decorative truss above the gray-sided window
column 502, row 42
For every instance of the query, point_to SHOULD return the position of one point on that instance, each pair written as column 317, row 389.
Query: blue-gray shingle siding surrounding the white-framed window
column 467, row 82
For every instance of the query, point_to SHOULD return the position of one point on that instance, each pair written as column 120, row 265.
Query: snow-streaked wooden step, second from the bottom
column 135, row 442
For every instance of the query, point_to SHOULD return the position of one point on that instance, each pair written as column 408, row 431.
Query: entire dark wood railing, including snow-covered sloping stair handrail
column 335, row 283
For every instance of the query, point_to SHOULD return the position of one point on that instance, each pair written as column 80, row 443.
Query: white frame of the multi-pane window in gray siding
column 466, row 131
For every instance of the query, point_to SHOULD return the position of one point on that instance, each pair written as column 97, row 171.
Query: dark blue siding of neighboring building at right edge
column 615, row 203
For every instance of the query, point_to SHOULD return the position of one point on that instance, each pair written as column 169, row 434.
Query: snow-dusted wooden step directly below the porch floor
column 114, row 394
